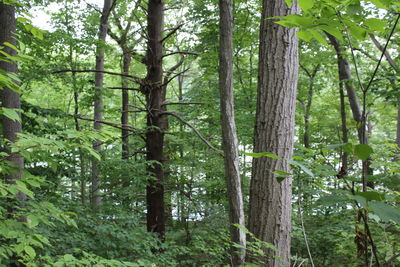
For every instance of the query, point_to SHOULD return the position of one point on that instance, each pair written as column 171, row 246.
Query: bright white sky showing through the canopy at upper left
column 41, row 15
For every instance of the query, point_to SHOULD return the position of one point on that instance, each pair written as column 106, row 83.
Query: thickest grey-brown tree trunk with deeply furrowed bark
column 270, row 200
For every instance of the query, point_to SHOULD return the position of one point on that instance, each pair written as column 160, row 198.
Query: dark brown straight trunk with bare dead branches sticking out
column 156, row 121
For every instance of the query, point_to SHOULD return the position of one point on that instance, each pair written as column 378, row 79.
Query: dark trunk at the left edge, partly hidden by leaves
column 10, row 99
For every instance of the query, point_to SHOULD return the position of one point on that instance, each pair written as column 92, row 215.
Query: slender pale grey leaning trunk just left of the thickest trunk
column 229, row 136
